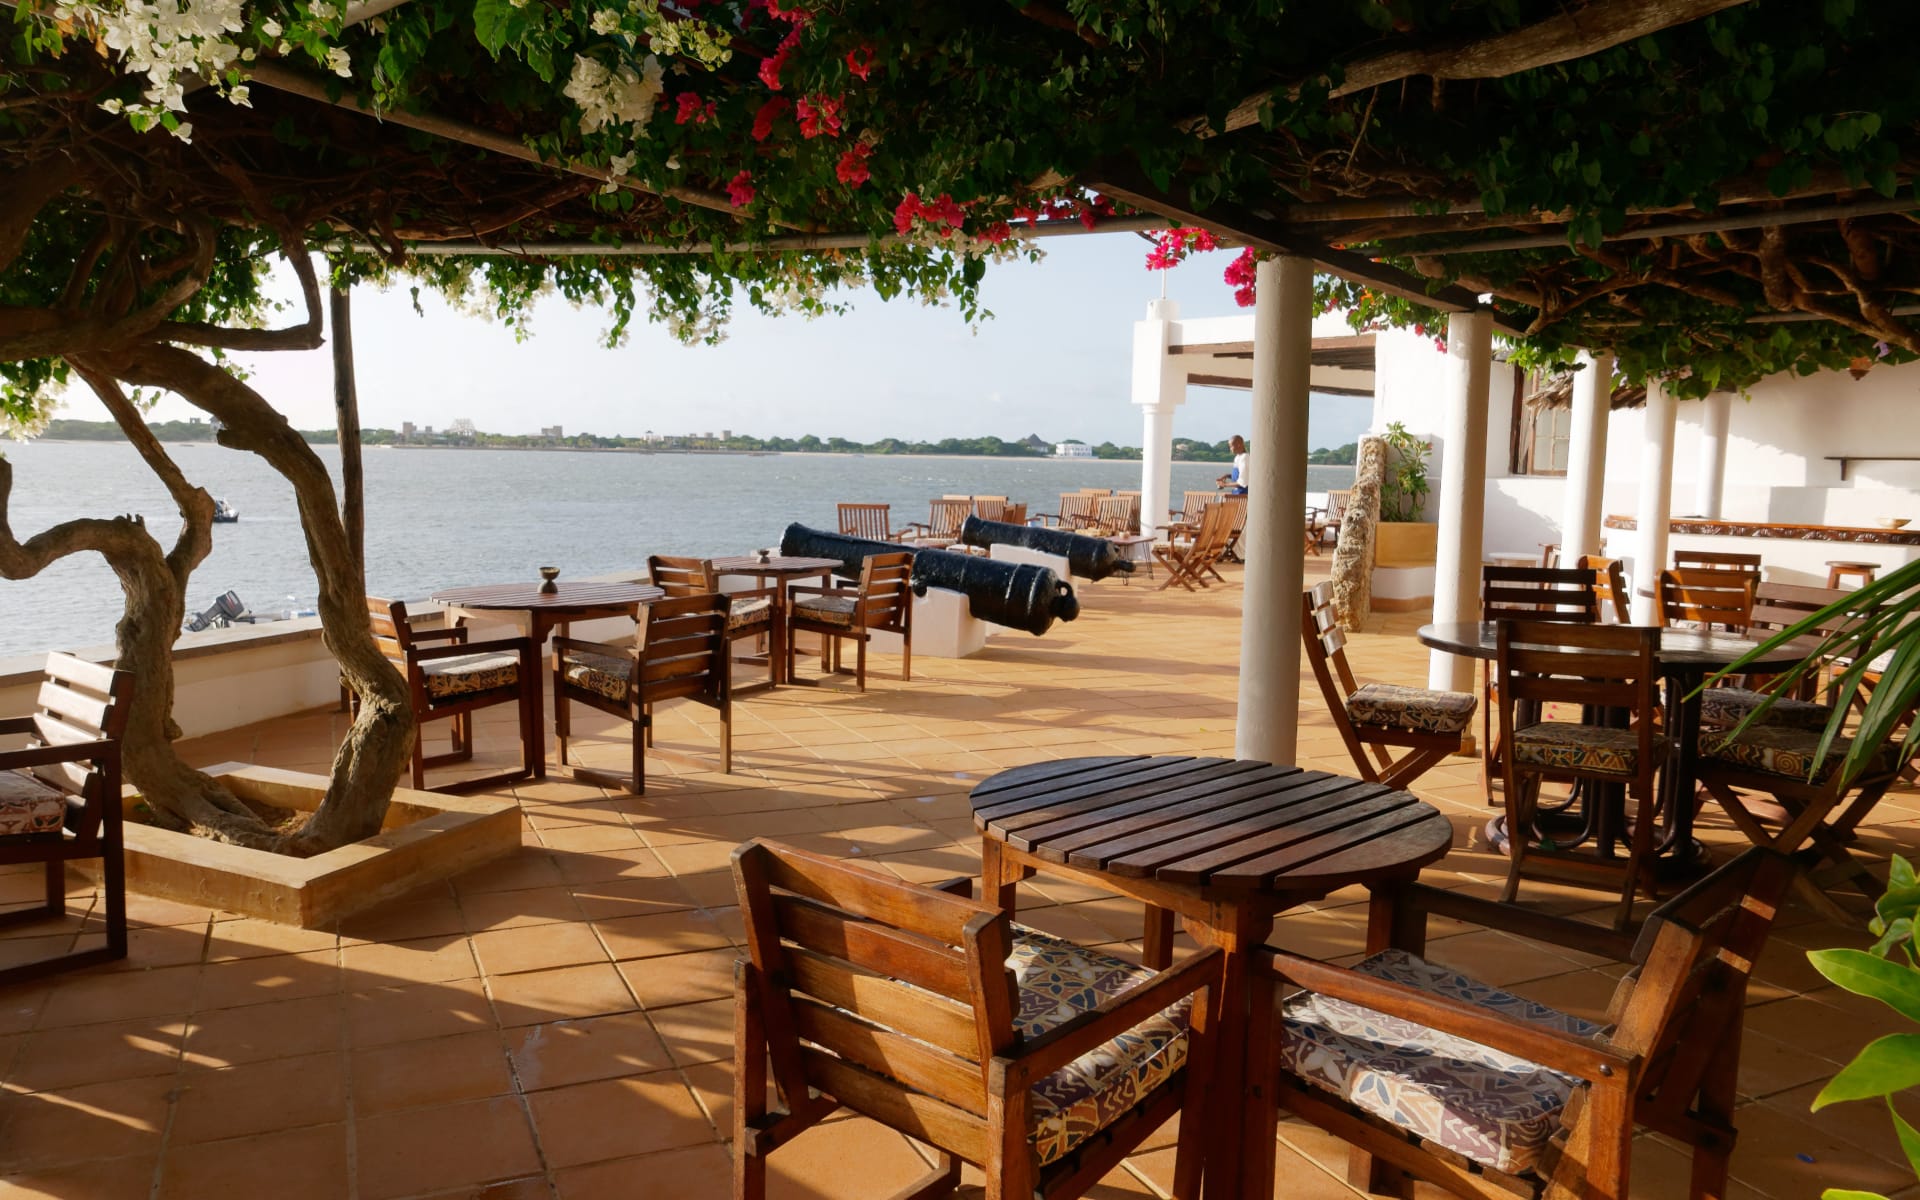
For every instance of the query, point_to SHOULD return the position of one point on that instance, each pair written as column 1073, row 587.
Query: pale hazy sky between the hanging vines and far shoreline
column 1053, row 362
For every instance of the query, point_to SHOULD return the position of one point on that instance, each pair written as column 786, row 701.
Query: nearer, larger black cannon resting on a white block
column 1007, row 594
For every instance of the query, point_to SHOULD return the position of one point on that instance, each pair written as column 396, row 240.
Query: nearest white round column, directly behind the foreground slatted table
column 1268, row 725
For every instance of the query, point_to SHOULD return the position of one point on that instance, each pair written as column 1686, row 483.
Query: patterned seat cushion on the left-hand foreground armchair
column 1059, row 982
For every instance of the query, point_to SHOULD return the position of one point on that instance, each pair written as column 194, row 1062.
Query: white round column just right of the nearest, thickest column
column 1470, row 362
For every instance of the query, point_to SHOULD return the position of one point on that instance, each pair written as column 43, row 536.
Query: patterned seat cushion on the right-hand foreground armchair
column 1472, row 1099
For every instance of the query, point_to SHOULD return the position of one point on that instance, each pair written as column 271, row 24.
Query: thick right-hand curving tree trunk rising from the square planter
column 381, row 740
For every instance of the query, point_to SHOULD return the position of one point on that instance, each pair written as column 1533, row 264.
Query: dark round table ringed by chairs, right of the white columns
column 1687, row 660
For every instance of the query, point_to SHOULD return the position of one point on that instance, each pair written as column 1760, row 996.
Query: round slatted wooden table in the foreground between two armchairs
column 1226, row 846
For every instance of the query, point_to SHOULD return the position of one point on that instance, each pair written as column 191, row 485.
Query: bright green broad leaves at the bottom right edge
column 1890, row 974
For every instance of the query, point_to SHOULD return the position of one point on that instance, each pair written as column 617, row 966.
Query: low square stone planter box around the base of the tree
column 427, row 836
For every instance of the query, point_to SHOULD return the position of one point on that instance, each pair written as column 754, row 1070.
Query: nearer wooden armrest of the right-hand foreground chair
column 1583, row 1057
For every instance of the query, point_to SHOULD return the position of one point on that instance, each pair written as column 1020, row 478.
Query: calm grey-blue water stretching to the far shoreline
column 441, row 519
